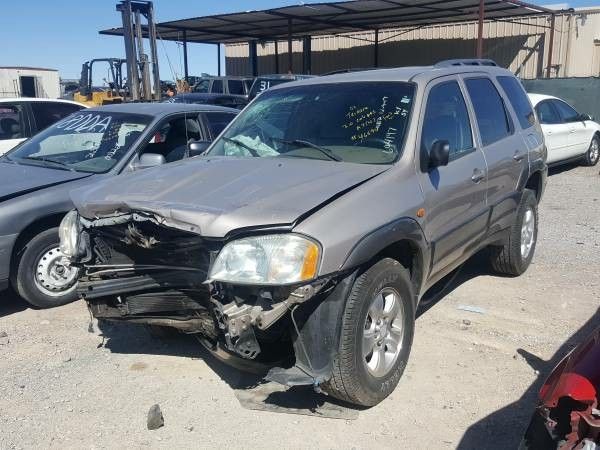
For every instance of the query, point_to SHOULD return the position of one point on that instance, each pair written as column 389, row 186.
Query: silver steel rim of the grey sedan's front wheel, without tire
column 54, row 276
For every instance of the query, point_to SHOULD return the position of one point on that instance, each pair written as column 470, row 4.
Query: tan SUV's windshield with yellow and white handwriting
column 361, row 122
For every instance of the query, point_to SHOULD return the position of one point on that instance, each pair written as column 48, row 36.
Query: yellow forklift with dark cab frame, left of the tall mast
column 115, row 92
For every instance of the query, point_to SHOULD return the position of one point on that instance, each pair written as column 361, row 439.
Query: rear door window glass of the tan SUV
column 492, row 119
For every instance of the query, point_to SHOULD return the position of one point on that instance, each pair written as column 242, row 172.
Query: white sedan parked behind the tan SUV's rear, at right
column 570, row 136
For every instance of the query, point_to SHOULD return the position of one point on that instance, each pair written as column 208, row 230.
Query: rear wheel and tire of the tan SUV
column 514, row 257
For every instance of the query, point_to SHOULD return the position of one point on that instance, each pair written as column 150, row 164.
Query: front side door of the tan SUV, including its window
column 456, row 212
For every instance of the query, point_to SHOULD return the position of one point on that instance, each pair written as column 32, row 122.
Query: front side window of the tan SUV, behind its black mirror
column 447, row 119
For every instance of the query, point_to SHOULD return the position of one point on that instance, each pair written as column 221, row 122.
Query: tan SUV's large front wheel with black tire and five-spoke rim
column 357, row 378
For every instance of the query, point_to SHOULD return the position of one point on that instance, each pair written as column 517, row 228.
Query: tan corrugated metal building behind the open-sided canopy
column 519, row 45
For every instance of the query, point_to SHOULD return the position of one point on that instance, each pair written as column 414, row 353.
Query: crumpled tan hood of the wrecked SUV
column 215, row 196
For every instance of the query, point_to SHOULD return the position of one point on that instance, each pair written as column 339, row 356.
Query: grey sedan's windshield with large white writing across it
column 86, row 141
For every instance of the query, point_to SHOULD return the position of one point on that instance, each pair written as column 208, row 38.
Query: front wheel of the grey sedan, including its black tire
column 34, row 283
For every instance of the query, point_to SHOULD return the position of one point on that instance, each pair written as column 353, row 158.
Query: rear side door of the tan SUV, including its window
column 505, row 150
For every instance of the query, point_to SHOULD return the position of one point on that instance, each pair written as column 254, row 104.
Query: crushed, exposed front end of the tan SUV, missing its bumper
column 136, row 268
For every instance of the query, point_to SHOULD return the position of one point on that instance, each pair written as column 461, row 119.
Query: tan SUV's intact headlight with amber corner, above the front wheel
column 272, row 259
